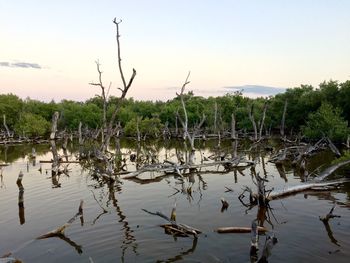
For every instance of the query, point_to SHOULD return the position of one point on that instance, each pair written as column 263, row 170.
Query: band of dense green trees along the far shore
column 314, row 113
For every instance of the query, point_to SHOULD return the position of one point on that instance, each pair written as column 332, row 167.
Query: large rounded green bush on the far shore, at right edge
column 326, row 121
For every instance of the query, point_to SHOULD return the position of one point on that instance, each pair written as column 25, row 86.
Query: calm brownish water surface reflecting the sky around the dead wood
column 115, row 229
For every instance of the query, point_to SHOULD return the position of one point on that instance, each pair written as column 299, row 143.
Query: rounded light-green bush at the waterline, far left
column 32, row 125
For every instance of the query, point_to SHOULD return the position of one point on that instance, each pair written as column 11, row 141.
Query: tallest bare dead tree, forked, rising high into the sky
column 126, row 85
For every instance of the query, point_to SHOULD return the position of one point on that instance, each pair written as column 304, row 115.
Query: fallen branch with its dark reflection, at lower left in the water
column 59, row 232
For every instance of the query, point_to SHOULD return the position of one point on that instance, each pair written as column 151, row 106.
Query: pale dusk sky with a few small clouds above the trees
column 48, row 49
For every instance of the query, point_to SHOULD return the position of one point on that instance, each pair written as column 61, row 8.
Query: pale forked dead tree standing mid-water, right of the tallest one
column 184, row 122
